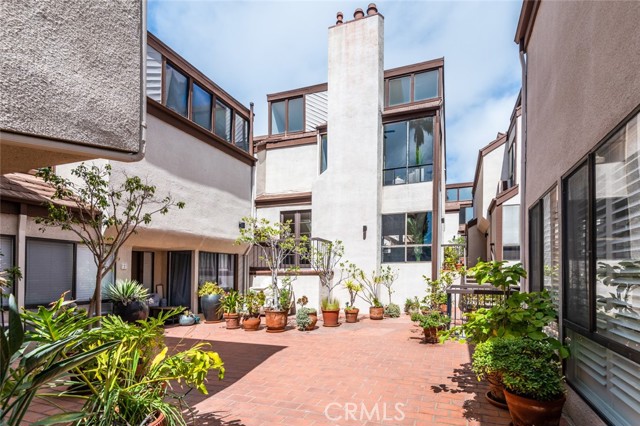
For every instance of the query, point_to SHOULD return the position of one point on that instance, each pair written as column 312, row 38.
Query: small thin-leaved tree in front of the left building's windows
column 92, row 205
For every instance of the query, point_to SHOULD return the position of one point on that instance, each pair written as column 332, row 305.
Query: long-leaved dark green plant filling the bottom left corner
column 31, row 360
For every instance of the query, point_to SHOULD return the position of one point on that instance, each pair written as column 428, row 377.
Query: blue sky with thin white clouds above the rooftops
column 252, row 48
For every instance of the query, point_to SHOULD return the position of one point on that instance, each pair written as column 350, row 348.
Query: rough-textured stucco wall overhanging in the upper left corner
column 72, row 71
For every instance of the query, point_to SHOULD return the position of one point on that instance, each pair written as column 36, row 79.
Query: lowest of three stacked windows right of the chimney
column 406, row 237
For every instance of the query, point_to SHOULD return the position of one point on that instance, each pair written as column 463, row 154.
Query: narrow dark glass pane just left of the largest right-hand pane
column 577, row 210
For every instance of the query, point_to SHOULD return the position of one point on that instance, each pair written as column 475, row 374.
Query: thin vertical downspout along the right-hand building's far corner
column 523, row 169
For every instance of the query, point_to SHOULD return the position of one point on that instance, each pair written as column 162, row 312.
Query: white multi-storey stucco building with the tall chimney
column 360, row 159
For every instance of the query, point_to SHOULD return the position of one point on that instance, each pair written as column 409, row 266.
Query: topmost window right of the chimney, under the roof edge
column 412, row 88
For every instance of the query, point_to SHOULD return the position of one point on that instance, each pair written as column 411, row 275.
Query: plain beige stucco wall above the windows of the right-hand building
column 583, row 80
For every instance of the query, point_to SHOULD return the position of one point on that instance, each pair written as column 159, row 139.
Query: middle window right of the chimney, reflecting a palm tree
column 408, row 151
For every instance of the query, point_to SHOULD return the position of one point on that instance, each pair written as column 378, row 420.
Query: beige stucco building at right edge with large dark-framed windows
column 581, row 105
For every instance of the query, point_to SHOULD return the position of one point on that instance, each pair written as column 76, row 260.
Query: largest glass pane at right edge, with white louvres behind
column 617, row 216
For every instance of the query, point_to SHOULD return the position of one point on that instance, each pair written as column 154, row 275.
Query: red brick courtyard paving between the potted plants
column 373, row 373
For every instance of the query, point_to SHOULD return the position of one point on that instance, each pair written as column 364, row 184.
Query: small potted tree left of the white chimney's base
column 276, row 242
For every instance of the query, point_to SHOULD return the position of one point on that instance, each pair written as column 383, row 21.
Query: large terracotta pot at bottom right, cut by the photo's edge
column 529, row 412
